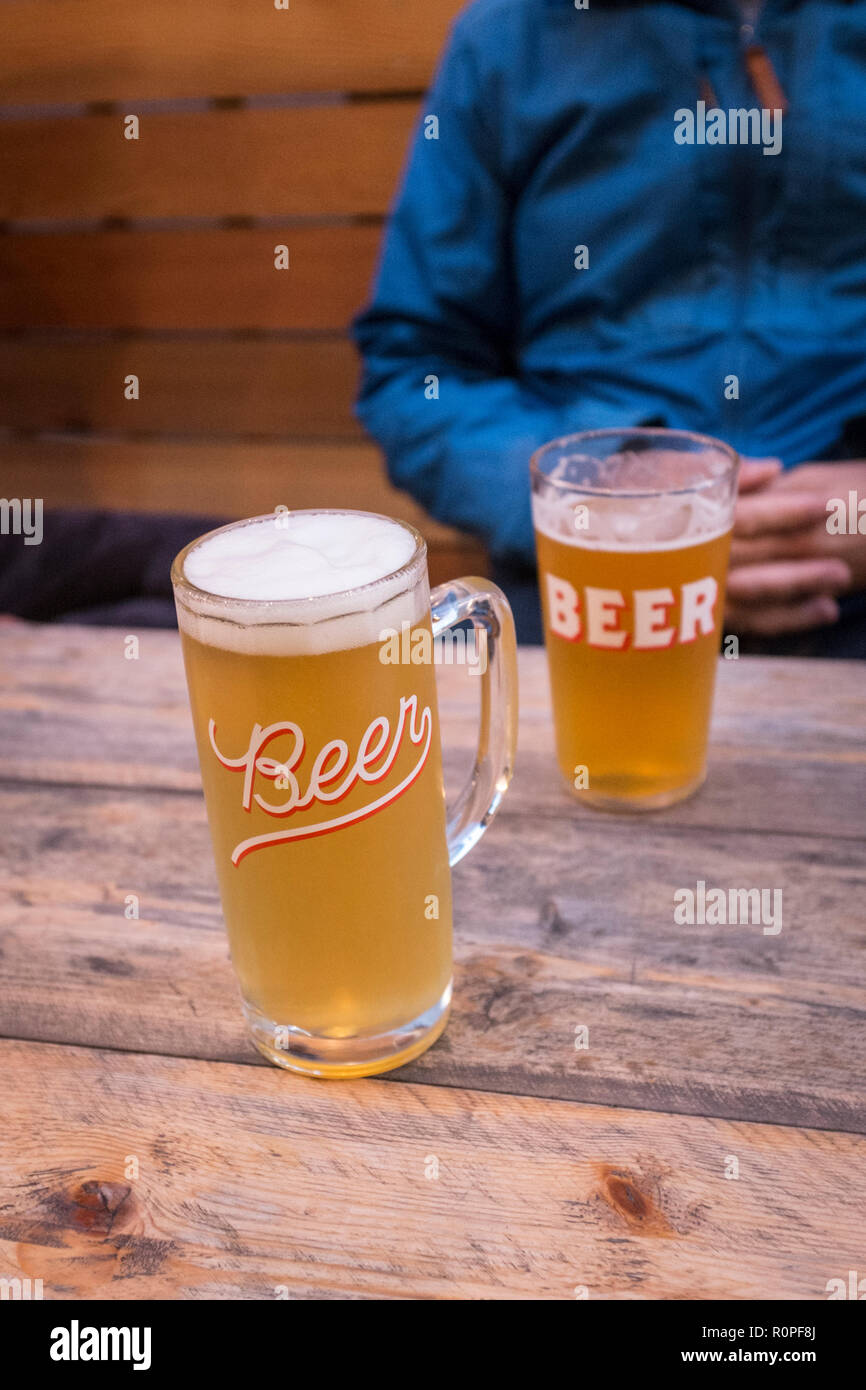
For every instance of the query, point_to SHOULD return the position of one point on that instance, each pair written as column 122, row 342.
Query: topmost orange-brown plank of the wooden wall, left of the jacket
column 95, row 51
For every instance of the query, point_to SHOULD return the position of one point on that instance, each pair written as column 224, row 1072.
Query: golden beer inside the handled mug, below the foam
column 334, row 947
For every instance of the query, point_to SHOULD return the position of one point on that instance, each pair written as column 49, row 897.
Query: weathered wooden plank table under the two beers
column 149, row 1152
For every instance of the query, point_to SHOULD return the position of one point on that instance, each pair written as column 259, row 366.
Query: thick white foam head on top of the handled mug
column 277, row 586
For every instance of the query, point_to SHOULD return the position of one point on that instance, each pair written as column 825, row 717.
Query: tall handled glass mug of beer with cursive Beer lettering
column 309, row 650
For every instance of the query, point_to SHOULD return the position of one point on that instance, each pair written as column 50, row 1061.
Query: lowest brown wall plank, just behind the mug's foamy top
column 220, row 479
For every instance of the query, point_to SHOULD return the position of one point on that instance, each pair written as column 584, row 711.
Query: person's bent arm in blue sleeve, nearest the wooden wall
column 441, row 391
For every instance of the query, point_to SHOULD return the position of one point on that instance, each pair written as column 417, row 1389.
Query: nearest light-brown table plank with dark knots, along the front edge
column 256, row 1182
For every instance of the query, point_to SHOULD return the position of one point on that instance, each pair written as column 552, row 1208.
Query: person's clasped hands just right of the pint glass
column 786, row 569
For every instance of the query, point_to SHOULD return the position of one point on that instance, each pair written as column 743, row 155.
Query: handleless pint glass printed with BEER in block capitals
column 633, row 532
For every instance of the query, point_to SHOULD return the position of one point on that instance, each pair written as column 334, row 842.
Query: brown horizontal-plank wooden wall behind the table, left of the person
column 180, row 305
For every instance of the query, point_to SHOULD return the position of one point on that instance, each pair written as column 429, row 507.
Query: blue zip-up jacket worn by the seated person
column 705, row 262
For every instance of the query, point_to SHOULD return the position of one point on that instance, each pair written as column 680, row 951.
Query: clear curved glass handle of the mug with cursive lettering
column 487, row 608
